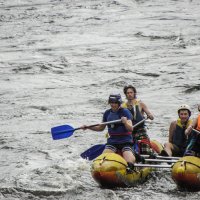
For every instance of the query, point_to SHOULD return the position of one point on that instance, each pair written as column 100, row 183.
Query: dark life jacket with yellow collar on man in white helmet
column 179, row 137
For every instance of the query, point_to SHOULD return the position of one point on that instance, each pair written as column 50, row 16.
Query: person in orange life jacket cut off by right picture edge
column 193, row 134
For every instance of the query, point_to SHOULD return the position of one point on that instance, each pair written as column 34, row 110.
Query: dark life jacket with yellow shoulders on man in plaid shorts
column 136, row 112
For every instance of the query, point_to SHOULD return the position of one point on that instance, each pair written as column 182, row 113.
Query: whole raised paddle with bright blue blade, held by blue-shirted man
column 65, row 131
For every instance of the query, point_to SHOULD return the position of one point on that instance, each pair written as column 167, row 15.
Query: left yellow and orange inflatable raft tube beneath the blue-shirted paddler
column 109, row 170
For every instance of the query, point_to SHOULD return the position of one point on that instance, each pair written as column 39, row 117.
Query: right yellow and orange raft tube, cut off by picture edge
column 186, row 173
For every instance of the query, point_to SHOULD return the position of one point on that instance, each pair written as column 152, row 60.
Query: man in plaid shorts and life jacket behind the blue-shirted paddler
column 138, row 109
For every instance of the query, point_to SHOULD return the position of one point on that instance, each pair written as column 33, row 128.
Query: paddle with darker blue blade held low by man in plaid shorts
column 97, row 150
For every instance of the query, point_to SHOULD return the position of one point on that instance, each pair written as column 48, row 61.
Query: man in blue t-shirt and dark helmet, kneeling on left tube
column 120, row 137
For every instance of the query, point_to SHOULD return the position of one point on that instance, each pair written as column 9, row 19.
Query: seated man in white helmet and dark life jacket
column 177, row 138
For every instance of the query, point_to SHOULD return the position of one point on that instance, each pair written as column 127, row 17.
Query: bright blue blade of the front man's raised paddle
column 60, row 132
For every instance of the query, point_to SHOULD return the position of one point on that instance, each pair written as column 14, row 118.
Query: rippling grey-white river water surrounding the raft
column 60, row 60
